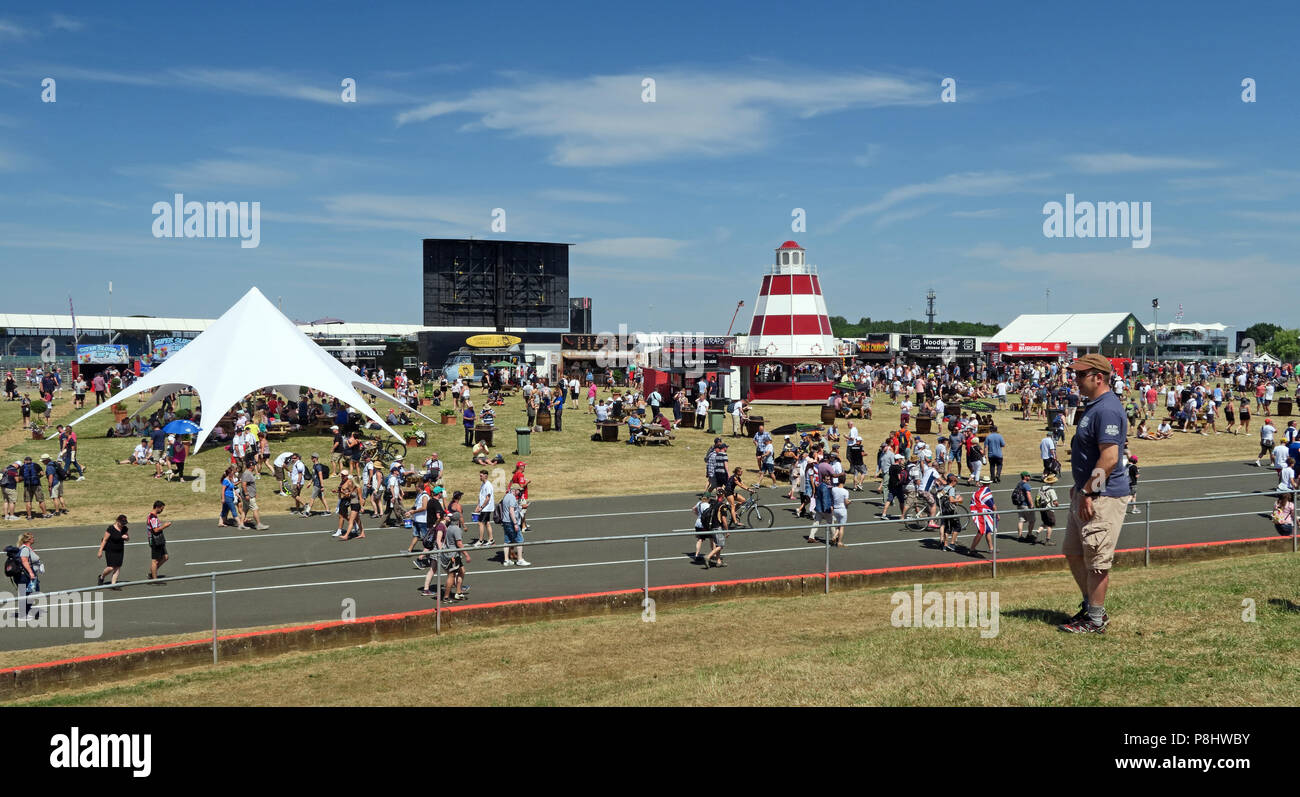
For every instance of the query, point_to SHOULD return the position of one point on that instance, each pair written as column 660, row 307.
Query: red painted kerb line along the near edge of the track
column 597, row 595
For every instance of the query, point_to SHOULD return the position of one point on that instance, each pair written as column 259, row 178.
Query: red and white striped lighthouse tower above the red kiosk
column 790, row 317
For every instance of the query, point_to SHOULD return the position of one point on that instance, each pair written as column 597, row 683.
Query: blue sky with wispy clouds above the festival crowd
column 675, row 206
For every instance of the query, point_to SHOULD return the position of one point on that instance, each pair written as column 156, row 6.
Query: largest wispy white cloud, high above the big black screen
column 601, row 120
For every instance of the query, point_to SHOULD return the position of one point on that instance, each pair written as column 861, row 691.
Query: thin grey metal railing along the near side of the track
column 436, row 555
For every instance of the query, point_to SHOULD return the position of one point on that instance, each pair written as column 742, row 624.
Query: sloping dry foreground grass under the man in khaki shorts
column 1177, row 638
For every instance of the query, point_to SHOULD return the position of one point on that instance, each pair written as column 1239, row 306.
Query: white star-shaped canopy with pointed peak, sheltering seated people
column 250, row 348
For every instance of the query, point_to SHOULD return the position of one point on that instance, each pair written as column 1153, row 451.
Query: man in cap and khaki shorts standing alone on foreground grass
column 1099, row 499
